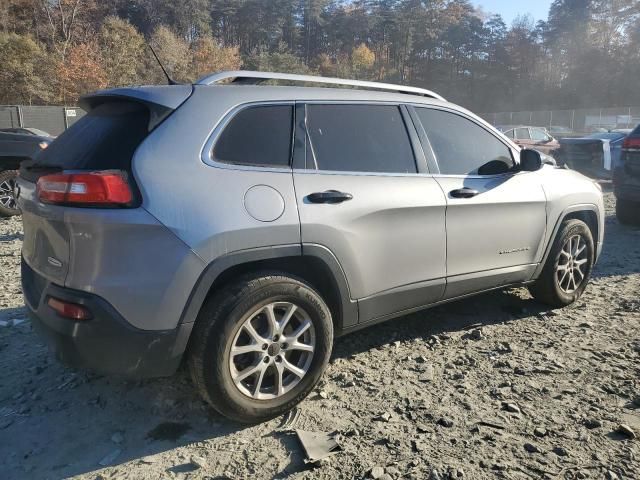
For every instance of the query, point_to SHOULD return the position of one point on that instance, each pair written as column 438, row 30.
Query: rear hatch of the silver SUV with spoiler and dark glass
column 103, row 142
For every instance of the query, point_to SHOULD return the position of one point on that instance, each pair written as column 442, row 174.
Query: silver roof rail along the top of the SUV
column 253, row 78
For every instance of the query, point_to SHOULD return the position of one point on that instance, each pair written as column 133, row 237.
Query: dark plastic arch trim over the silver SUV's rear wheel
column 313, row 263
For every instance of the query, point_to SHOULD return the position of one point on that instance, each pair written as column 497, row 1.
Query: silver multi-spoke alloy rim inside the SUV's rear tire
column 272, row 351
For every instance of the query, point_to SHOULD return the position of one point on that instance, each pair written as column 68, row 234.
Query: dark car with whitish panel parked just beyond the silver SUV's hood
column 594, row 155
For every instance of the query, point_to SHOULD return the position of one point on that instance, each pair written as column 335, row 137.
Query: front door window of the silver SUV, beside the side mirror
column 460, row 145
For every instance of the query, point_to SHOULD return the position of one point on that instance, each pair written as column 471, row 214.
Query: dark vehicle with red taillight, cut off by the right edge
column 626, row 180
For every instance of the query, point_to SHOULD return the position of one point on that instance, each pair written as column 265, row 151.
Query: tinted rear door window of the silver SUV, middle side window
column 359, row 138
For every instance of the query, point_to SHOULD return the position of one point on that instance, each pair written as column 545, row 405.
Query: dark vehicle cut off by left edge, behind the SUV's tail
column 17, row 145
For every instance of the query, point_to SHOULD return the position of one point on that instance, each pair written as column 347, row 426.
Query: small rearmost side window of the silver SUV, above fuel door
column 259, row 135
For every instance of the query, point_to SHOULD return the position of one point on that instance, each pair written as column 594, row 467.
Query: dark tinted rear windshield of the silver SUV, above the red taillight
column 106, row 138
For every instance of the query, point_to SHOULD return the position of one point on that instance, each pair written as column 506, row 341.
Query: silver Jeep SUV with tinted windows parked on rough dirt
column 241, row 227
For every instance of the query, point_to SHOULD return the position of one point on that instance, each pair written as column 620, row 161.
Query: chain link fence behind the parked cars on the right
column 586, row 120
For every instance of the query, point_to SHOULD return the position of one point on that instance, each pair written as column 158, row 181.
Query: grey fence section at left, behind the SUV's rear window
column 53, row 120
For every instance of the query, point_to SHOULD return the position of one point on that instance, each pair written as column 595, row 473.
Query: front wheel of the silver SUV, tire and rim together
column 554, row 286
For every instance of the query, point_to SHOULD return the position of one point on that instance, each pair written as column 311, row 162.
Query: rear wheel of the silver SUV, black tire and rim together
column 221, row 326
